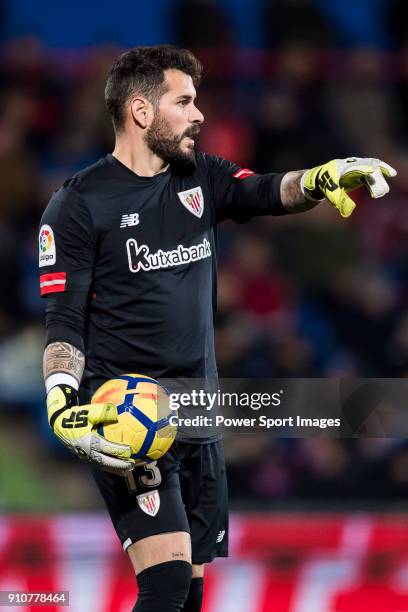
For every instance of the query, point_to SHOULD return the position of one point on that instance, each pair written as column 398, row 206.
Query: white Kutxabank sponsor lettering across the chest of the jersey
column 140, row 258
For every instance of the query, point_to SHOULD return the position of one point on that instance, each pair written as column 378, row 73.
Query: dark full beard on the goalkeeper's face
column 163, row 143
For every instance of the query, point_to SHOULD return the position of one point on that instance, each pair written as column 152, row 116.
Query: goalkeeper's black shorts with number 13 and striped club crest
column 186, row 490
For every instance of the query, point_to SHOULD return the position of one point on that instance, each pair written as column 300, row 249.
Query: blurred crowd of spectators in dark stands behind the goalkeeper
column 308, row 295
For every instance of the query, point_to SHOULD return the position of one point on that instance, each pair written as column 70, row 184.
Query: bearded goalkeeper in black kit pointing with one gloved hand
column 121, row 299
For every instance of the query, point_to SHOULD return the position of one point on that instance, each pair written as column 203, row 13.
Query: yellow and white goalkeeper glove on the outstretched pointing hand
column 339, row 176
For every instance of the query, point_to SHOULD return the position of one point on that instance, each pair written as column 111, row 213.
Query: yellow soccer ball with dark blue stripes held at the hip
column 144, row 413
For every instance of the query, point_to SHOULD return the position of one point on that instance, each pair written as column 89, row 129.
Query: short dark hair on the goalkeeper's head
column 141, row 71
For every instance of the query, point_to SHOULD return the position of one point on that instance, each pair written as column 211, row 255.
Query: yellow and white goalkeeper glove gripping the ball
column 74, row 426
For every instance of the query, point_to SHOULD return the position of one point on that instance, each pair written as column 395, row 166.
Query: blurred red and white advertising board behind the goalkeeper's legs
column 278, row 563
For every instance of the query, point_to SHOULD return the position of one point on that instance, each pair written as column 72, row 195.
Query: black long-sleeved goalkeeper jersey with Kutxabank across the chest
column 134, row 259
